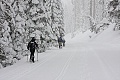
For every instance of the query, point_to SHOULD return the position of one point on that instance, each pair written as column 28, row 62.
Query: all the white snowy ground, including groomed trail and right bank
column 83, row 58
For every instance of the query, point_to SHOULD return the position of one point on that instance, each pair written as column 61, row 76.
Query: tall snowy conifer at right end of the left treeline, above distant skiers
column 57, row 22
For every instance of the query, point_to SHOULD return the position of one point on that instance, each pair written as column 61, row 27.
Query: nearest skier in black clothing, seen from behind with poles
column 31, row 46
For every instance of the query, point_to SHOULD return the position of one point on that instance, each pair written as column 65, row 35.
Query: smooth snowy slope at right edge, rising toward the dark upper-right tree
column 107, row 36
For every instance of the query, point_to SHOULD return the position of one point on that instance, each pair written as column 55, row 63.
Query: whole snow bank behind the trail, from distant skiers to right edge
column 106, row 36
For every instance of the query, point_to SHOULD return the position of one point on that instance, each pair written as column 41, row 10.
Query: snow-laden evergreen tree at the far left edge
column 8, row 23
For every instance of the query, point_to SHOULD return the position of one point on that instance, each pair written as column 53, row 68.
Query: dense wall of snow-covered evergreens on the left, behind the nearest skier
column 22, row 19
